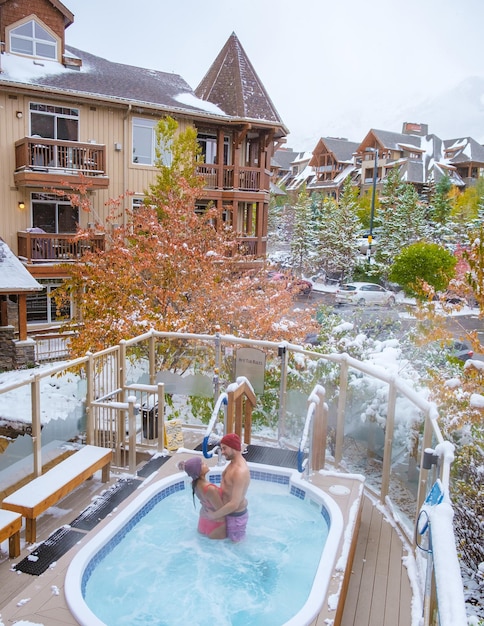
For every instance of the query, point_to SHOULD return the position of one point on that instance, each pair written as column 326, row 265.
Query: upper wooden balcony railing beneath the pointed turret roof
column 243, row 178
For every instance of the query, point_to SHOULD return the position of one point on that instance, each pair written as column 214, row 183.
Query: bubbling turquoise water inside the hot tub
column 163, row 573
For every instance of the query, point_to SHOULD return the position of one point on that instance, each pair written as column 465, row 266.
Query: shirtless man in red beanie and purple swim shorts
column 234, row 485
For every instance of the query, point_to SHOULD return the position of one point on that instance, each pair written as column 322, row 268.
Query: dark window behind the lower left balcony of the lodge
column 54, row 214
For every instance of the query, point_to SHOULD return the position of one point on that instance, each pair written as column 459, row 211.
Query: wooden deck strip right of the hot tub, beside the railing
column 379, row 592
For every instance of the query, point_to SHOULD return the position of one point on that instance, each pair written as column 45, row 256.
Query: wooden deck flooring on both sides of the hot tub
column 378, row 593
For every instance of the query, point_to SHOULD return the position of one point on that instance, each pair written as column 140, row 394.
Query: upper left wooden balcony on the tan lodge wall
column 43, row 162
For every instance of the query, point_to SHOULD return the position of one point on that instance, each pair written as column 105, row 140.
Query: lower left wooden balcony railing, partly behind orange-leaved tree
column 58, row 248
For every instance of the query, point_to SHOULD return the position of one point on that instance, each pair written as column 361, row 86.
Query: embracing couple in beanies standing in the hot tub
column 223, row 510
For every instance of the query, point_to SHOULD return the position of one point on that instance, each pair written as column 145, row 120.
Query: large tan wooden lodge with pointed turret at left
column 68, row 117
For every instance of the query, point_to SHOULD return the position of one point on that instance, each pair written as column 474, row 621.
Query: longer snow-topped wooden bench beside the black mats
column 46, row 490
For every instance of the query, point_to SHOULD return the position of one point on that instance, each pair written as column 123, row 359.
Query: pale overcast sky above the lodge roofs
column 330, row 68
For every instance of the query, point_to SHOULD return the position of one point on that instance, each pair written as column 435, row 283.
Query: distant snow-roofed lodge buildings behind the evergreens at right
column 421, row 158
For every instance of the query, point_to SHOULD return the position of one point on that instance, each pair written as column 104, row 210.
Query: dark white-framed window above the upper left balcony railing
column 54, row 122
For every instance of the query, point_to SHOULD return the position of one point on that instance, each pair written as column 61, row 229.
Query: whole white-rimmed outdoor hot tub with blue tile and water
column 150, row 567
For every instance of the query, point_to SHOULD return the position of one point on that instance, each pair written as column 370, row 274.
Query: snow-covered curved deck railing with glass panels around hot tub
column 105, row 388
